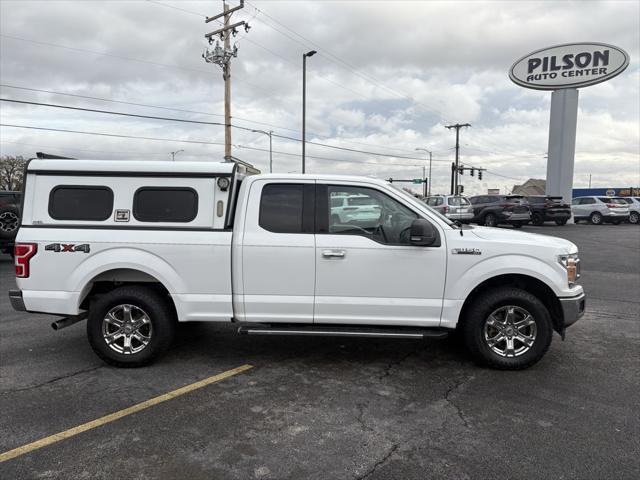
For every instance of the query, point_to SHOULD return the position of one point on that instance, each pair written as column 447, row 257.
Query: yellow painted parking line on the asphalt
column 16, row 452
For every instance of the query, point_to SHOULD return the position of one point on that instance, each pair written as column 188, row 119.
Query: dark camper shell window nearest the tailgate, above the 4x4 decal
column 79, row 202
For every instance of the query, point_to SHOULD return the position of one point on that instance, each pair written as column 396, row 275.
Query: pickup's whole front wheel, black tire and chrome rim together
column 507, row 328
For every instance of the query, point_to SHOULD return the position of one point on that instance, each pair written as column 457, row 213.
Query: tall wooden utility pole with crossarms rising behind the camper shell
column 222, row 56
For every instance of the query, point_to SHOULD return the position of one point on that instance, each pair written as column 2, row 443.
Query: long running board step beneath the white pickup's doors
column 332, row 331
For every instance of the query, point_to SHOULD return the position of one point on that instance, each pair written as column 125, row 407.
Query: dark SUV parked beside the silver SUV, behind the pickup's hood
column 494, row 210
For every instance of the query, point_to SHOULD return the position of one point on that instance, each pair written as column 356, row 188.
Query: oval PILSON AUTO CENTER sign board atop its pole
column 572, row 65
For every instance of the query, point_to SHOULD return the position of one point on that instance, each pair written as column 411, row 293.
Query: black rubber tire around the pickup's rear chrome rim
column 161, row 325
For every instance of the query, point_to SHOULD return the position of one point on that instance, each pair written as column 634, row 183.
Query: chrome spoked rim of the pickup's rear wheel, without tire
column 127, row 329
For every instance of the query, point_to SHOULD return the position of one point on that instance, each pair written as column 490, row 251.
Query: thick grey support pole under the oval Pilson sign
column 562, row 143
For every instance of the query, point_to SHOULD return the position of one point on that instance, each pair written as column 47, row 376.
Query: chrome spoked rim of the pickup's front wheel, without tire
column 510, row 331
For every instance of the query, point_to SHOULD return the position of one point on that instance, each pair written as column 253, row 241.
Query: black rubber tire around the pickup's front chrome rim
column 475, row 325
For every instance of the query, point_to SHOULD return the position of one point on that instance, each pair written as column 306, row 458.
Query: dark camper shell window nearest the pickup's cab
column 165, row 204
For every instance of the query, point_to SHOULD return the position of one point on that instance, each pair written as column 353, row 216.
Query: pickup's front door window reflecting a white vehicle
column 370, row 213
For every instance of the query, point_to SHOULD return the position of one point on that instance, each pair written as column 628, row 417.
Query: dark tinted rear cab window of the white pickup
column 281, row 208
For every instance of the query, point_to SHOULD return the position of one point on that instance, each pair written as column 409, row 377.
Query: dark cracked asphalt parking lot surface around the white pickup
column 327, row 408
